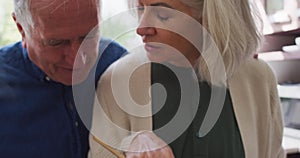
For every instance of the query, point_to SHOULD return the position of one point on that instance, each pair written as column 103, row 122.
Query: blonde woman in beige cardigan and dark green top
column 206, row 84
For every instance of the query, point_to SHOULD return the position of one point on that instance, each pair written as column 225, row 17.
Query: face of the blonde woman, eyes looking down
column 161, row 25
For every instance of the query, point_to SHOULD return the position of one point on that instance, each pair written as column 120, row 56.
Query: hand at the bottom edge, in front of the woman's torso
column 148, row 145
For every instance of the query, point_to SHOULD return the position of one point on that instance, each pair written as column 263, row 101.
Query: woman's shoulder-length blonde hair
column 234, row 26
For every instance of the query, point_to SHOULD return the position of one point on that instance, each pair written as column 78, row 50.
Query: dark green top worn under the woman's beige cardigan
column 223, row 141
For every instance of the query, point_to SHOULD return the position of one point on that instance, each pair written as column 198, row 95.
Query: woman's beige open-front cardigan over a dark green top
column 253, row 92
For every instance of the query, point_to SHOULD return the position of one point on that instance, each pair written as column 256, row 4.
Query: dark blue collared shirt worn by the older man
column 38, row 117
